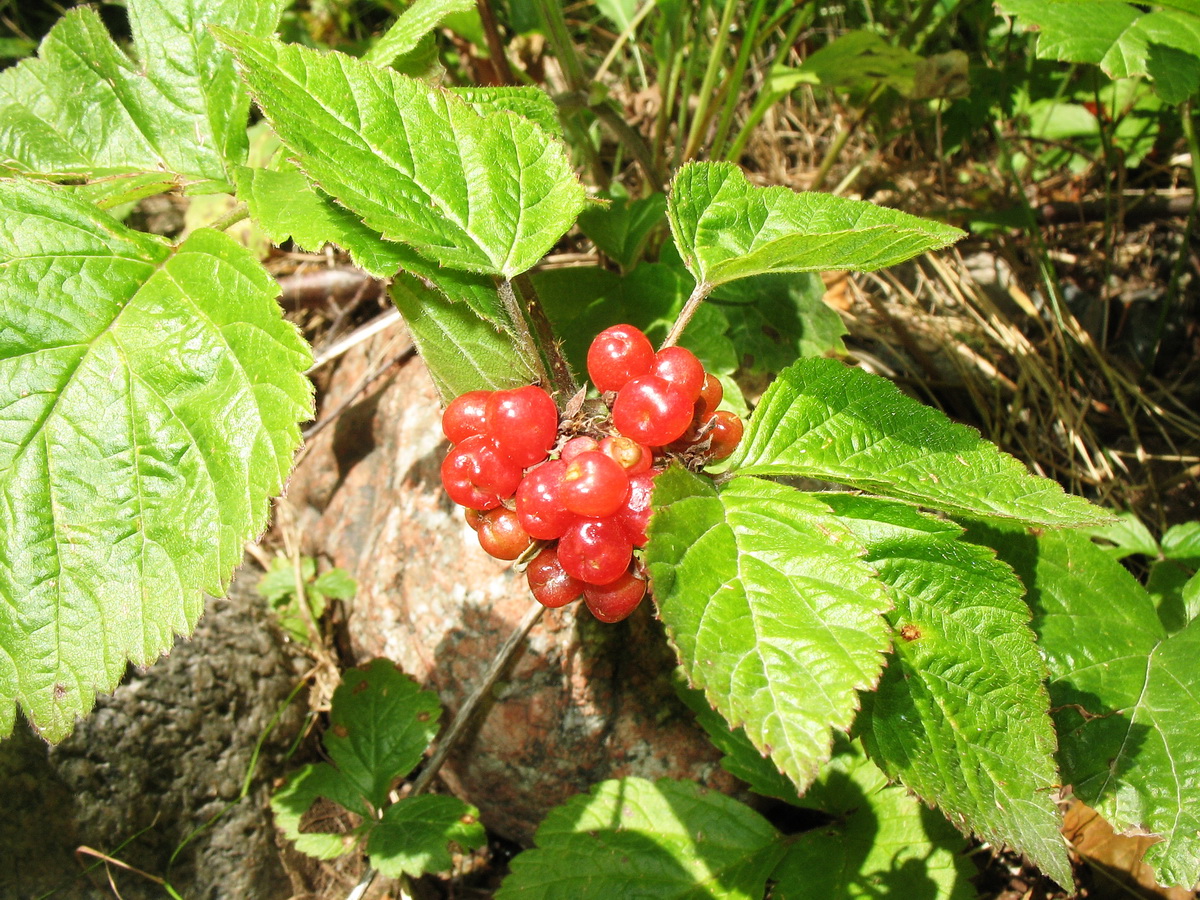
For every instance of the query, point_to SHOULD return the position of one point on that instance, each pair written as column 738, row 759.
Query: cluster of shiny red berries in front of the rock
column 590, row 505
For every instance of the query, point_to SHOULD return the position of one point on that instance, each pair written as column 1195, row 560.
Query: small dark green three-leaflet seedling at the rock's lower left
column 381, row 724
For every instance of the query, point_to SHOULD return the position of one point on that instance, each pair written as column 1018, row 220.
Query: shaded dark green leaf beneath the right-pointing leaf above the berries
column 775, row 320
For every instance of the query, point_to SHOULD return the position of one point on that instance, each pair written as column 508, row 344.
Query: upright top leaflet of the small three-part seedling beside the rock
column 381, row 724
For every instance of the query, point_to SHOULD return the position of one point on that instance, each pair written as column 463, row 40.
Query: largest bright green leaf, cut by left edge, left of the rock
column 152, row 401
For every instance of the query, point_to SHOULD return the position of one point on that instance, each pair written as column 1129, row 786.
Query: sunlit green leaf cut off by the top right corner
column 1119, row 38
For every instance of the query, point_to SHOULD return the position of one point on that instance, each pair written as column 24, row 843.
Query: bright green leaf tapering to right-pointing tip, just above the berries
column 728, row 230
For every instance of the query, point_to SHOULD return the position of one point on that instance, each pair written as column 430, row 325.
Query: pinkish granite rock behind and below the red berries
column 583, row 704
